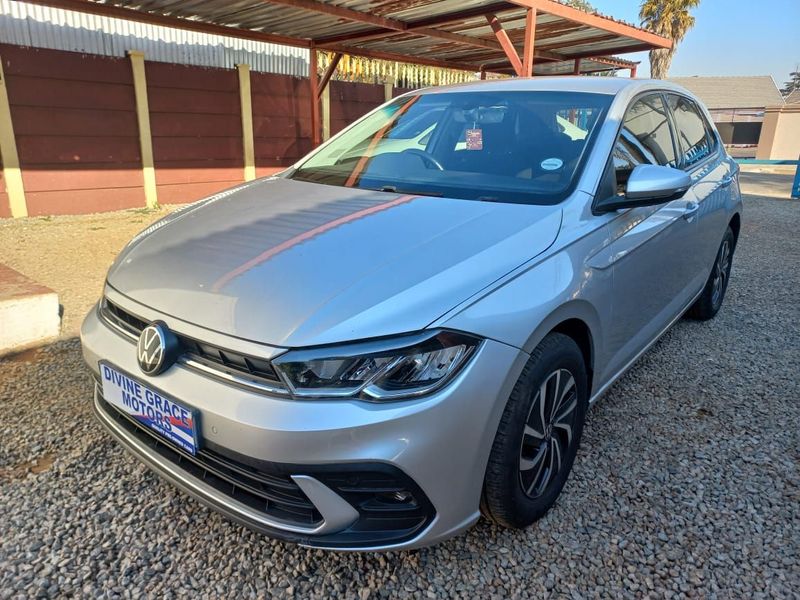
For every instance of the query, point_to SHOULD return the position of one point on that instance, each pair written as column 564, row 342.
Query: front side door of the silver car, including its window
column 650, row 249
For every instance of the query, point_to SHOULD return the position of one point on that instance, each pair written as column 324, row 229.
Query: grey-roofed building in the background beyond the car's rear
column 737, row 105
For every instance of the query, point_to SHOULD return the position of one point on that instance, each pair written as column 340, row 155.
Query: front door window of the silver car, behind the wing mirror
column 645, row 139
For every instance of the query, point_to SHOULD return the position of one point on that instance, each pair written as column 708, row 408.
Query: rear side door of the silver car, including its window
column 701, row 155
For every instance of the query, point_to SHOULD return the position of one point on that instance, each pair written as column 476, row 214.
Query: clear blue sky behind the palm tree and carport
column 730, row 37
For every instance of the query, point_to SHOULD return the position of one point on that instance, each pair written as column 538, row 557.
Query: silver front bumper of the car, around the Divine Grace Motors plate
column 436, row 448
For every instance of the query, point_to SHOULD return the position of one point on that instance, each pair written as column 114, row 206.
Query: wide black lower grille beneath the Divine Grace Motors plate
column 273, row 494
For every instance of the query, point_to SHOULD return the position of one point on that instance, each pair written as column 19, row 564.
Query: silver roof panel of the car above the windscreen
column 596, row 85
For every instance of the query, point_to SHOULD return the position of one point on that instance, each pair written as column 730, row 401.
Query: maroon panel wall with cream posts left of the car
column 75, row 138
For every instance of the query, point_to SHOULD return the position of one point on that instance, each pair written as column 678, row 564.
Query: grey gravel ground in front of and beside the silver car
column 686, row 485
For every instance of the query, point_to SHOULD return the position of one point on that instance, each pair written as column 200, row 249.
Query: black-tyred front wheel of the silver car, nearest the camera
column 535, row 445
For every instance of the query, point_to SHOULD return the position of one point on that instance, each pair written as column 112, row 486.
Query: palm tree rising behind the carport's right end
column 668, row 18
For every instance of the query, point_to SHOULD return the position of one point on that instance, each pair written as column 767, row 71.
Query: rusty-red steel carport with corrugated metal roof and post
column 517, row 37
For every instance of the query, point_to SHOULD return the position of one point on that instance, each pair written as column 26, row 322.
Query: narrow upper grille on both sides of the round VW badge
column 223, row 361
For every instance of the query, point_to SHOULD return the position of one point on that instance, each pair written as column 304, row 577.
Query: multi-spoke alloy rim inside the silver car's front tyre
column 548, row 432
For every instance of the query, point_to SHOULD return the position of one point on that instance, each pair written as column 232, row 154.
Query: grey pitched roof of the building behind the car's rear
column 756, row 91
